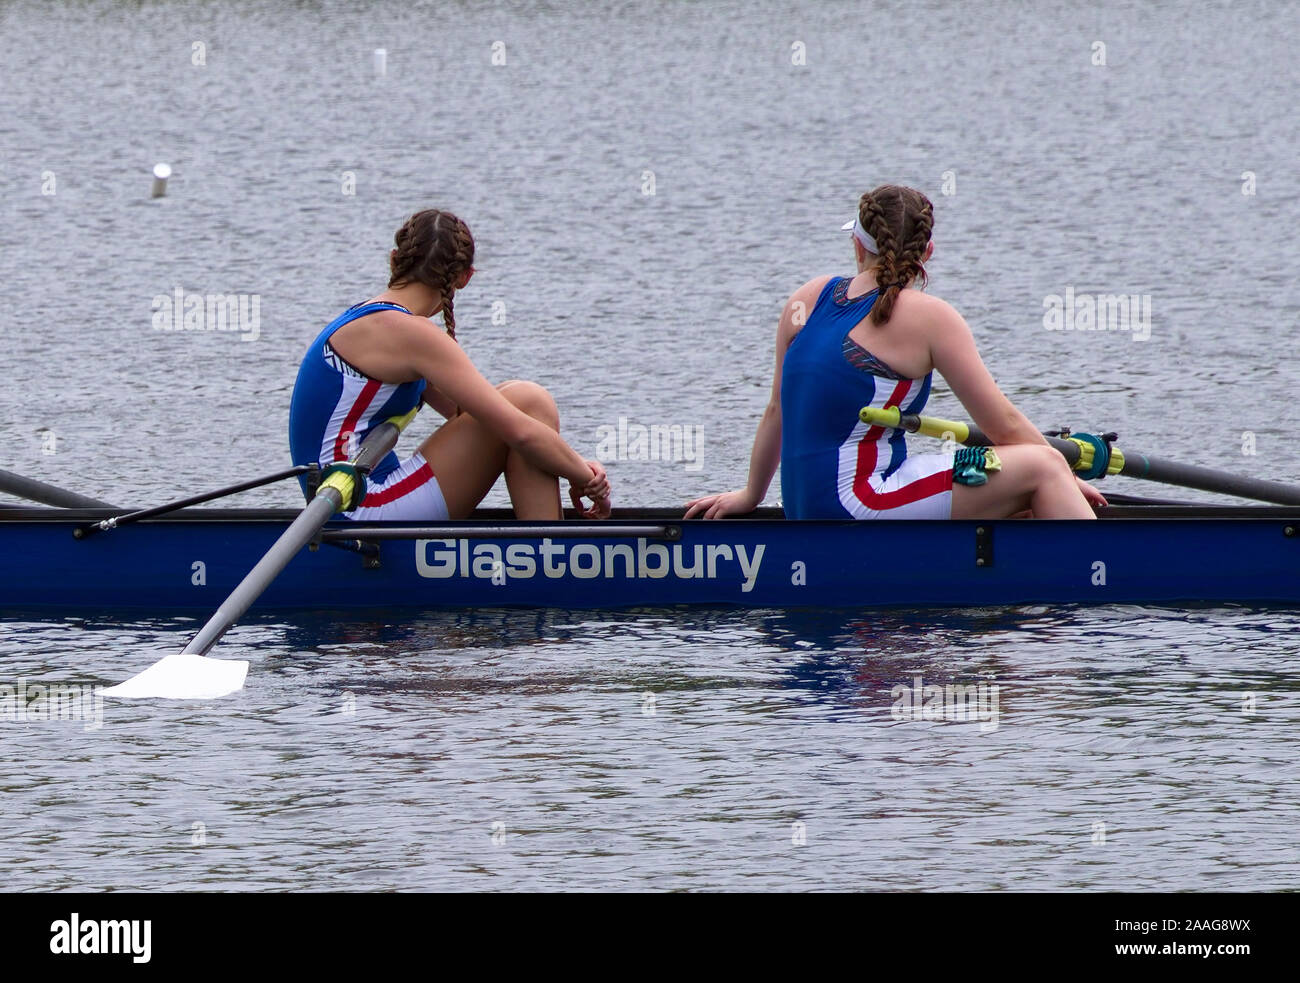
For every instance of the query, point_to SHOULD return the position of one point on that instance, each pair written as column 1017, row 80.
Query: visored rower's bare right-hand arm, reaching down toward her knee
column 959, row 362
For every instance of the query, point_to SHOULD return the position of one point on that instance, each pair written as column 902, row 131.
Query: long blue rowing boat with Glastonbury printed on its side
column 189, row 561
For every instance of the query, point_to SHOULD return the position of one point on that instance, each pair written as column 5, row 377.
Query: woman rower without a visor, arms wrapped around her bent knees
column 383, row 358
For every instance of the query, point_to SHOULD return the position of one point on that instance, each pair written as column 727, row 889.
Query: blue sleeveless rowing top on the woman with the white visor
column 826, row 379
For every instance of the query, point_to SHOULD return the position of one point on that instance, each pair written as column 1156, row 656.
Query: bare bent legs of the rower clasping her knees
column 467, row 460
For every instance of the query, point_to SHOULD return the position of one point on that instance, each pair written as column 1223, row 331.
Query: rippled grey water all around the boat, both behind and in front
column 649, row 750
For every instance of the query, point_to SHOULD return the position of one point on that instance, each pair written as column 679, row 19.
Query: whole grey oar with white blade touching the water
column 190, row 675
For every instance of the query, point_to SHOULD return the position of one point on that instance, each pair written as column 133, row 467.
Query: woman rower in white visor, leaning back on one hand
column 848, row 343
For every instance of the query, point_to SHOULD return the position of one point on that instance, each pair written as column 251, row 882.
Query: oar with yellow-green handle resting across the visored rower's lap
column 1097, row 457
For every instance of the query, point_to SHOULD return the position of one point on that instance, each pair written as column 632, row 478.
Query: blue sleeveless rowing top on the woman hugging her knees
column 336, row 405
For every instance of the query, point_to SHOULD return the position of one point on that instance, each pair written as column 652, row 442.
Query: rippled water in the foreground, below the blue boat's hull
column 387, row 757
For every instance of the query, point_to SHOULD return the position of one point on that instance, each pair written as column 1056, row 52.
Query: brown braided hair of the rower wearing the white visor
column 900, row 220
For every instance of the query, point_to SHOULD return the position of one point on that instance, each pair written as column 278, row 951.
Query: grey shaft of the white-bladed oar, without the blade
column 331, row 497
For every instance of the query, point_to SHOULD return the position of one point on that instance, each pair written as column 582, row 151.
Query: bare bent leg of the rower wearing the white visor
column 1033, row 477
